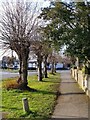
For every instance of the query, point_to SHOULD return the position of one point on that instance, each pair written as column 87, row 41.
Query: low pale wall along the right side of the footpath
column 82, row 79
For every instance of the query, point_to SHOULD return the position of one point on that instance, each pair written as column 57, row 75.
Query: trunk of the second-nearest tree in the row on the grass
column 39, row 60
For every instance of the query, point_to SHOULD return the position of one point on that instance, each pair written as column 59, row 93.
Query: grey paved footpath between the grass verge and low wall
column 72, row 103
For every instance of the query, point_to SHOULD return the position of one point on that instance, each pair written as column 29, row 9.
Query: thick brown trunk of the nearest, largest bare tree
column 23, row 72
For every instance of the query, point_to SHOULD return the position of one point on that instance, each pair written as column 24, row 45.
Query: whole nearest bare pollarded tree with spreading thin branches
column 19, row 23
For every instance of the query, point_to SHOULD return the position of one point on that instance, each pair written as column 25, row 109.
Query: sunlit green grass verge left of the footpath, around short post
column 41, row 101
